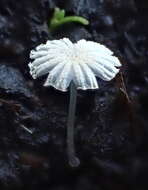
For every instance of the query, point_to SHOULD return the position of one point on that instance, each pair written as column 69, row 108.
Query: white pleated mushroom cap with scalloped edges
column 79, row 62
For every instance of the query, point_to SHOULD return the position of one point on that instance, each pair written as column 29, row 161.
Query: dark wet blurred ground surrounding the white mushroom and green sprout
column 111, row 132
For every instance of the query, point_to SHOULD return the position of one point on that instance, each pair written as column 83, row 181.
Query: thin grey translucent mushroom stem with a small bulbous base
column 73, row 160
